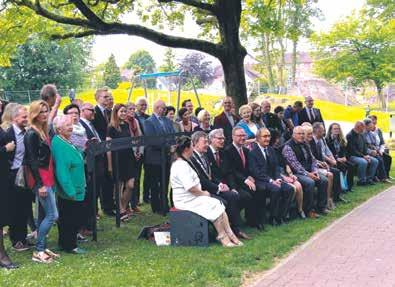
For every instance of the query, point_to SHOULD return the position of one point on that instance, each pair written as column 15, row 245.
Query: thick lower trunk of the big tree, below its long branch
column 235, row 84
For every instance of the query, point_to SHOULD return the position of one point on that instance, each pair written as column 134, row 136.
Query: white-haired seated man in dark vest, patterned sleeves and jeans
column 303, row 164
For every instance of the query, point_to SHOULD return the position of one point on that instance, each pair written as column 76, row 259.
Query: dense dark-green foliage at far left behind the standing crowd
column 40, row 61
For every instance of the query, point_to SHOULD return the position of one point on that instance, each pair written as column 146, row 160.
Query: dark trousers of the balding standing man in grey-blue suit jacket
column 156, row 186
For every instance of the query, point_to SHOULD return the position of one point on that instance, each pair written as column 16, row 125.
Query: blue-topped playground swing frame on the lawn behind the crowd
column 179, row 75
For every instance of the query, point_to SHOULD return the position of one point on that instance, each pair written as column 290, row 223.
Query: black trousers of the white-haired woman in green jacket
column 69, row 223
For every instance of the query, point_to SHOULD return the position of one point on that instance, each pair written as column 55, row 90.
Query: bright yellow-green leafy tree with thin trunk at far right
column 358, row 49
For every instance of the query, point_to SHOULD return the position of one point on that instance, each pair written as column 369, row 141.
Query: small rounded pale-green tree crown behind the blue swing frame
column 142, row 63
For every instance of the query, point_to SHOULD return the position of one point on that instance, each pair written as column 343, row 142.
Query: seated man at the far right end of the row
column 373, row 145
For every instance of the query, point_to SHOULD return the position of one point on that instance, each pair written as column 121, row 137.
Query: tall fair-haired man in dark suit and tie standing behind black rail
column 100, row 122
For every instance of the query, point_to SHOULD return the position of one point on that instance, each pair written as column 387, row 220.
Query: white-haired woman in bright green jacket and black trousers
column 70, row 179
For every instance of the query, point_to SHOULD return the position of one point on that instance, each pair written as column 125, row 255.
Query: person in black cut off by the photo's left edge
column 6, row 196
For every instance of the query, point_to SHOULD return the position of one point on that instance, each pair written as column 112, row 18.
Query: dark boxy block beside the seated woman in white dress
column 188, row 229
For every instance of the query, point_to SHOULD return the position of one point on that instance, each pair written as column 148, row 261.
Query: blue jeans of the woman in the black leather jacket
column 48, row 204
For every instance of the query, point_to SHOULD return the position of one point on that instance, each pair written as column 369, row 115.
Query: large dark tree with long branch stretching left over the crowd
column 219, row 19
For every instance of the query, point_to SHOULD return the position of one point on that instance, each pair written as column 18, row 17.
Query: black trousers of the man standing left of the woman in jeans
column 22, row 206
